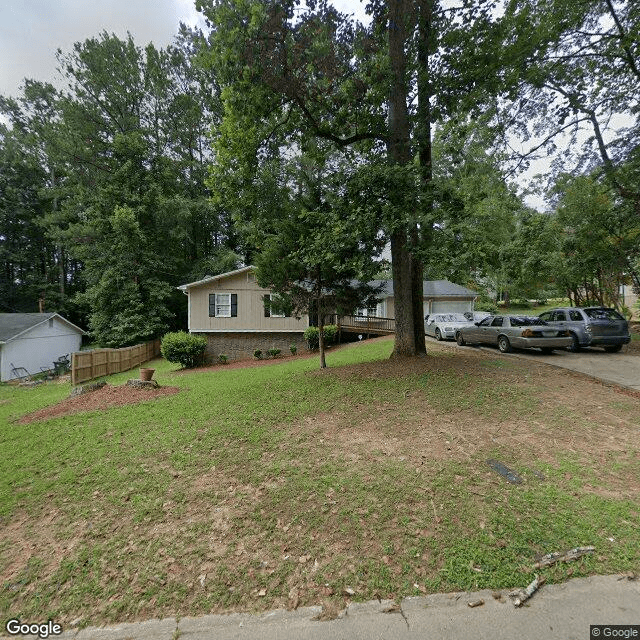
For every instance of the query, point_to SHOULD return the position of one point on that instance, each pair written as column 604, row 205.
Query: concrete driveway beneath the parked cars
column 617, row 368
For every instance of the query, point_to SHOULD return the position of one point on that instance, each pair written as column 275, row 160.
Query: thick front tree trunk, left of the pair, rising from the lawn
column 399, row 152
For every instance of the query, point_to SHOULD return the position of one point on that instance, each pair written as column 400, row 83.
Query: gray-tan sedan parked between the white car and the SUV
column 522, row 332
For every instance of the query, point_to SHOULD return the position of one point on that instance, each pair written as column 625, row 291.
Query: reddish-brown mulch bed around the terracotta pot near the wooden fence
column 106, row 398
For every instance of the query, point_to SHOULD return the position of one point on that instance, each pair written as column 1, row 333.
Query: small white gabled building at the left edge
column 34, row 341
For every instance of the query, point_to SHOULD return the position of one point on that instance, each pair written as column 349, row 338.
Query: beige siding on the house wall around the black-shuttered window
column 250, row 308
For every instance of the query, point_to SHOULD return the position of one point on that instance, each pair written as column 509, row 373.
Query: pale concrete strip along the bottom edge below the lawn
column 556, row 612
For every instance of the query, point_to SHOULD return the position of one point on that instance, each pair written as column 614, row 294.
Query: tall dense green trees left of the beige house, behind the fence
column 105, row 209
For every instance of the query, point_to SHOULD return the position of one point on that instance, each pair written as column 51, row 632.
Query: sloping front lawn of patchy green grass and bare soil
column 280, row 485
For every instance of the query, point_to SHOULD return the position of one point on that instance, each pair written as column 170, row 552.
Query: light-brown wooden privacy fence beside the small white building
column 87, row 365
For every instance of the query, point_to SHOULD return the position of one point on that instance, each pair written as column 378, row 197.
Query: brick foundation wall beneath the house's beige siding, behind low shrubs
column 239, row 346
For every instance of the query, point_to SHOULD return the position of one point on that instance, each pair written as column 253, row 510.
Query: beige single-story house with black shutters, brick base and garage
column 229, row 310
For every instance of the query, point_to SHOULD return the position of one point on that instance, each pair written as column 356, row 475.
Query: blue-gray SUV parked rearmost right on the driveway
column 590, row 326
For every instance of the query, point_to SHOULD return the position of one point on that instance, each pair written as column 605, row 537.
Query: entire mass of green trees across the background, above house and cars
column 295, row 138
